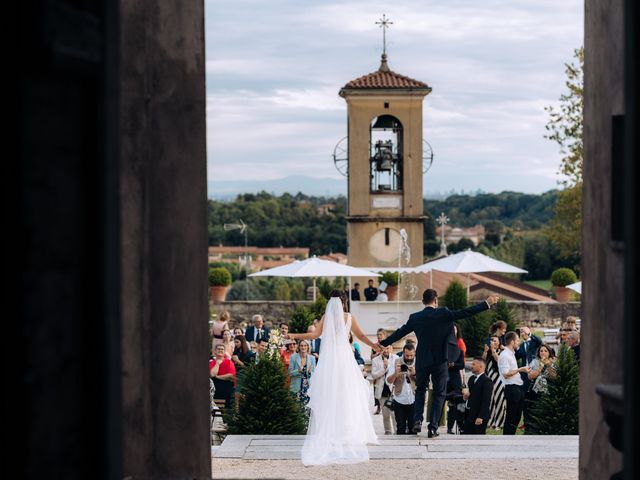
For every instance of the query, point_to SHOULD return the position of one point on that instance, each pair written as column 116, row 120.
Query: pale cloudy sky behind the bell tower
column 274, row 69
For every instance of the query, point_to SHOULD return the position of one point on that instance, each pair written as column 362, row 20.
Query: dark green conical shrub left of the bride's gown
column 267, row 406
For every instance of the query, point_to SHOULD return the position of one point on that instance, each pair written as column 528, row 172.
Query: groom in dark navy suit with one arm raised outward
column 433, row 327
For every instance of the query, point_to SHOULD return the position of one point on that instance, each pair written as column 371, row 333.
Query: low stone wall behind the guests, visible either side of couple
column 532, row 314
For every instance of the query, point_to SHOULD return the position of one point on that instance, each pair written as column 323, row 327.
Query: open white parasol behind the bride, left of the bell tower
column 315, row 267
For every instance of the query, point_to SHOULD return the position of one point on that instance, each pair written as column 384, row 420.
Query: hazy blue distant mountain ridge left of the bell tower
column 321, row 187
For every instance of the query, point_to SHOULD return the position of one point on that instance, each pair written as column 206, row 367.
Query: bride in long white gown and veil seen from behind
column 340, row 425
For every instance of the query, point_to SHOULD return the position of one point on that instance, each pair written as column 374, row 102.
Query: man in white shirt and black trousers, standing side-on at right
column 510, row 374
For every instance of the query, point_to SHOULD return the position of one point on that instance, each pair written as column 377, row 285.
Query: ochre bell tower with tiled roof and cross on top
column 384, row 166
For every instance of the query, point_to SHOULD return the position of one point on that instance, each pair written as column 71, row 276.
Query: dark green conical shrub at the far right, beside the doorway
column 557, row 413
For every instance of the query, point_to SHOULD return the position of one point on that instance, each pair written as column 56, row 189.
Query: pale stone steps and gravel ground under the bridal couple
column 406, row 457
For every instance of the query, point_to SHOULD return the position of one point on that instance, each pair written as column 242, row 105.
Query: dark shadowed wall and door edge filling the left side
column 107, row 356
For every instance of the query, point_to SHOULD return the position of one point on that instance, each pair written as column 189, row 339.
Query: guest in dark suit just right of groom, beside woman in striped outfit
column 478, row 399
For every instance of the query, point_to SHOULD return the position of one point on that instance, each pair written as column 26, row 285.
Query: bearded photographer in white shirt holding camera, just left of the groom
column 401, row 378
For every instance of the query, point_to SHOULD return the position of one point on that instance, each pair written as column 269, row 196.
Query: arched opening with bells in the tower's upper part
column 386, row 154
